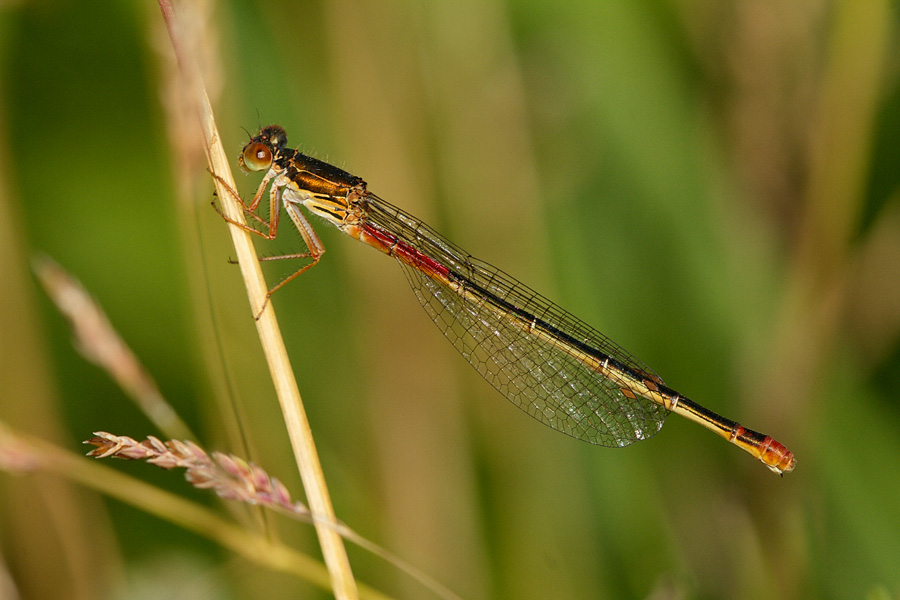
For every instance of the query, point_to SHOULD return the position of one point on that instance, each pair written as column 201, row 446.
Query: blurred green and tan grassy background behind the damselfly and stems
column 712, row 185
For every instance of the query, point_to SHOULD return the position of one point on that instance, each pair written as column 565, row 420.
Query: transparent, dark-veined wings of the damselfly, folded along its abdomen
column 549, row 384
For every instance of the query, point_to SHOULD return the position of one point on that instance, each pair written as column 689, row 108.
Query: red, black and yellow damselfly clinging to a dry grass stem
column 546, row 361
